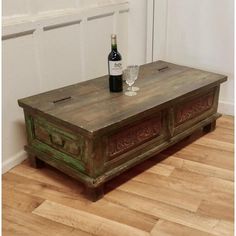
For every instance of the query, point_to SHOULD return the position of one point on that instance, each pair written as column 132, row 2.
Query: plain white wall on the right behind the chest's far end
column 198, row 34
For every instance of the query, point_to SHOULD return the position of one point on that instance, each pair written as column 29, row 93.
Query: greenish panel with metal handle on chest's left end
column 57, row 138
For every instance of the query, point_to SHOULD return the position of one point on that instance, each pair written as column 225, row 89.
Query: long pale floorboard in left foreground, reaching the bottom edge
column 84, row 221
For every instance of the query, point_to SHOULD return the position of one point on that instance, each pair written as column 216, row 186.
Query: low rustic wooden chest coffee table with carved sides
column 94, row 135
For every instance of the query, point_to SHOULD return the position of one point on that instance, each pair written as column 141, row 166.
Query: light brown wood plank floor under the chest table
column 187, row 190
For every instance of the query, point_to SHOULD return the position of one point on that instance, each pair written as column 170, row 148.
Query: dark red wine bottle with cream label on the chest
column 115, row 67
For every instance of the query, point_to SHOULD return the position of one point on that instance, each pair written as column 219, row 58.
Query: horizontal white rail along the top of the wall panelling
column 15, row 25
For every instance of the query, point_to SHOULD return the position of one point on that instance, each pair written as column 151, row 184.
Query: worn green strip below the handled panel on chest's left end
column 68, row 160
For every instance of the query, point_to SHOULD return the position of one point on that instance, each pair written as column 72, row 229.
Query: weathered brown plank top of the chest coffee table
column 91, row 107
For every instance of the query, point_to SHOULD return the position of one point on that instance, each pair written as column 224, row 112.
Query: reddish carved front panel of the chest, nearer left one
column 130, row 137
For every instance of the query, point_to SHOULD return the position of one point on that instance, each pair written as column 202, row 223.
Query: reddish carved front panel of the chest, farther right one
column 193, row 108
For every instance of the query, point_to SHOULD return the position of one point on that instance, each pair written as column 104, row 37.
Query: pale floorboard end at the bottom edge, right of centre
column 167, row 228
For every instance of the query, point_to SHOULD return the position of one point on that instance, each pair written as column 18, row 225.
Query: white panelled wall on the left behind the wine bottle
column 49, row 44
